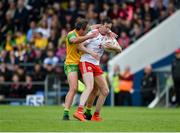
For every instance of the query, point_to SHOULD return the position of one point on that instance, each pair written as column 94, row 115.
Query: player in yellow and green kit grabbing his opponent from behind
column 74, row 37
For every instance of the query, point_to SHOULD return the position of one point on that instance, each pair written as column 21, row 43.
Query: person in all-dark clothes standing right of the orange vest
column 148, row 86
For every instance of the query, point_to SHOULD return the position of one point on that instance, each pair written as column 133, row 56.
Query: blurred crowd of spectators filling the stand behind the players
column 32, row 34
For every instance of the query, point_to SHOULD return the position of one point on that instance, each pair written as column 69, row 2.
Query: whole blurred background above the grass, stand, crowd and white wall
column 32, row 50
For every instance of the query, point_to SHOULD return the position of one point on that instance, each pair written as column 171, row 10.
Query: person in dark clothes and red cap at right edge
column 176, row 75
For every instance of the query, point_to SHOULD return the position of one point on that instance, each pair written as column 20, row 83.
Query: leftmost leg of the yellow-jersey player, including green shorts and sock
column 72, row 76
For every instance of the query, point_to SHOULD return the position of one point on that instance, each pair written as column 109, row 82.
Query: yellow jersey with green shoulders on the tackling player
column 72, row 53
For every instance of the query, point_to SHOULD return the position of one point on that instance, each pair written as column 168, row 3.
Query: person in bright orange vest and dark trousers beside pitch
column 126, row 87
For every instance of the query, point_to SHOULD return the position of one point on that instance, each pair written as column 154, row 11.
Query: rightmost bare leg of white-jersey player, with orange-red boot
column 104, row 91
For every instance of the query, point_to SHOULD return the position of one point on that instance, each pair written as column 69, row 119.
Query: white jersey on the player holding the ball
column 94, row 44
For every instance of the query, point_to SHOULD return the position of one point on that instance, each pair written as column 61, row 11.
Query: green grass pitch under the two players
column 49, row 118
